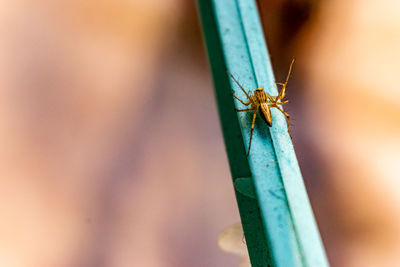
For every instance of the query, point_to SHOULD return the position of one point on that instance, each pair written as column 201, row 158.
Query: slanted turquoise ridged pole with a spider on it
column 276, row 215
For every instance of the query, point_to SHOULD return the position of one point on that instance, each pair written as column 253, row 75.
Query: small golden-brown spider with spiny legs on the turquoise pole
column 262, row 102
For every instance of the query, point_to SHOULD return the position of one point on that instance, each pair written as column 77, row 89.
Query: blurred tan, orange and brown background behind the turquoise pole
column 111, row 149
